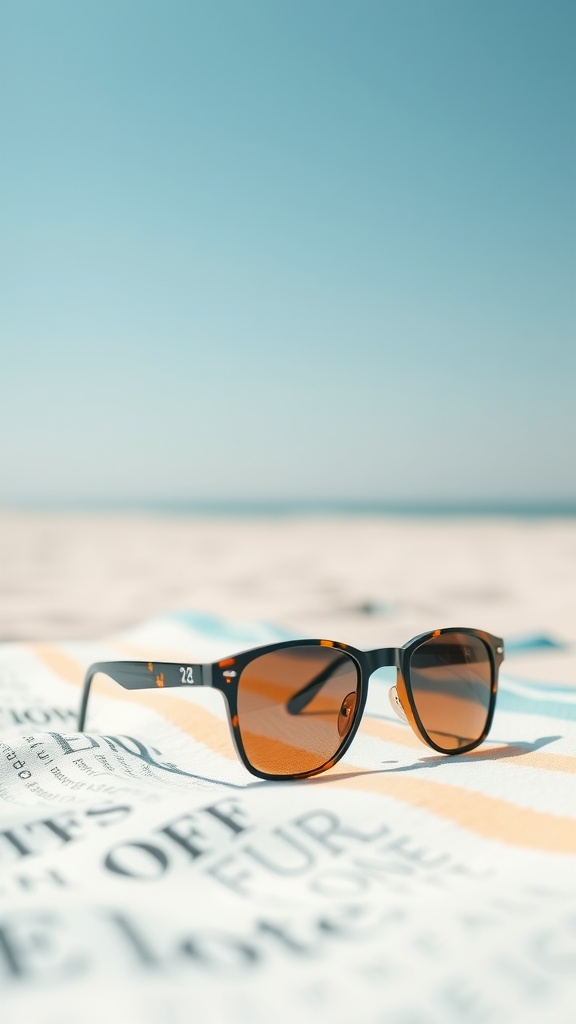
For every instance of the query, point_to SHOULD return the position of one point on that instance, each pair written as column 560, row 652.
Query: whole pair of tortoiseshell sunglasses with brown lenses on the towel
column 295, row 708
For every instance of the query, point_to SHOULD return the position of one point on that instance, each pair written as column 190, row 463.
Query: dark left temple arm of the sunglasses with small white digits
column 144, row 676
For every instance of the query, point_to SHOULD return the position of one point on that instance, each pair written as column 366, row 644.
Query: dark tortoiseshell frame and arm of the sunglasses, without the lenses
column 225, row 676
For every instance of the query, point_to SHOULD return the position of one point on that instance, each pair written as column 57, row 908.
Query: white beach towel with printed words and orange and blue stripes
column 146, row 877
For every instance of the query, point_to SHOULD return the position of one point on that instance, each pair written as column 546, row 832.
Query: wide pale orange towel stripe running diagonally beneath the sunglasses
column 487, row 817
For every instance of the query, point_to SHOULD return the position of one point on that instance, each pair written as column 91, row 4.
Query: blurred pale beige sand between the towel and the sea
column 368, row 581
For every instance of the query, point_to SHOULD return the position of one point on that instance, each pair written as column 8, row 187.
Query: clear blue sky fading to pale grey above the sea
column 289, row 249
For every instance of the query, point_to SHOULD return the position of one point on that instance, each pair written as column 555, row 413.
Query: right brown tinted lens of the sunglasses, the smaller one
column 451, row 682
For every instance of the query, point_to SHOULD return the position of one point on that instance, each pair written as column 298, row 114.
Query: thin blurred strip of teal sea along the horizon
column 304, row 507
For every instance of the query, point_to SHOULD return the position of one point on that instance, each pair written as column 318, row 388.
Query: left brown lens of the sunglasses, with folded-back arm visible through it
column 296, row 707
